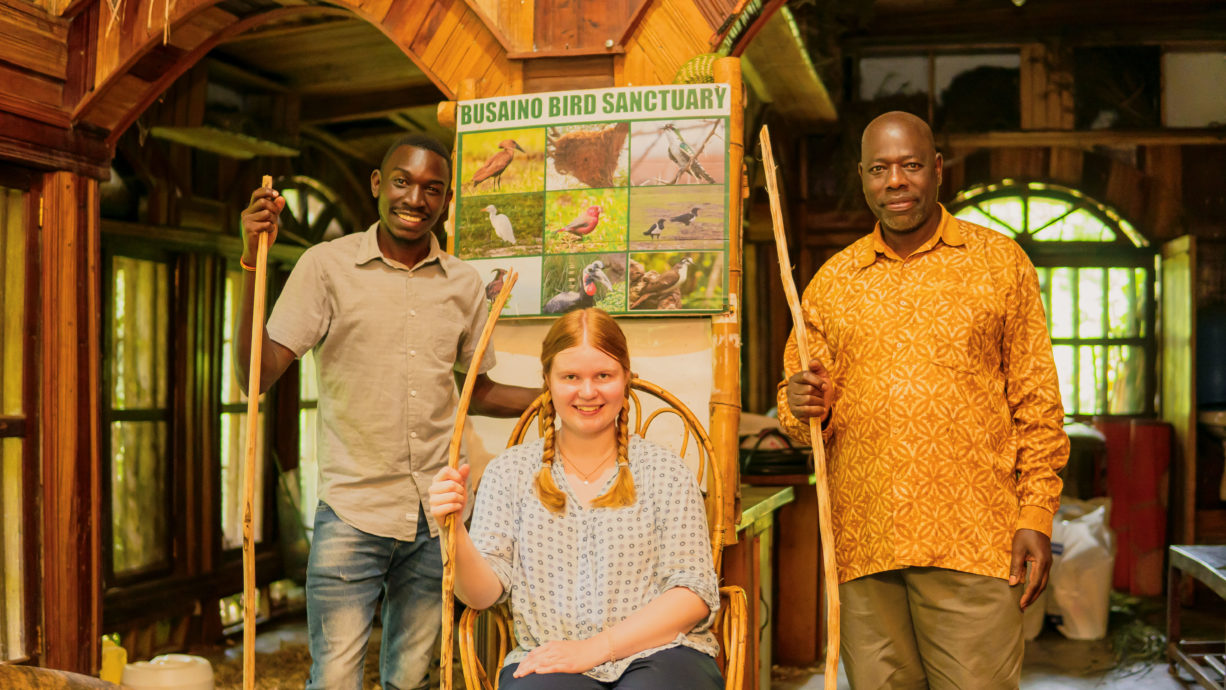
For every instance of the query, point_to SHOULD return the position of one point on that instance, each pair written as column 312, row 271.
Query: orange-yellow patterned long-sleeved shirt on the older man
column 946, row 436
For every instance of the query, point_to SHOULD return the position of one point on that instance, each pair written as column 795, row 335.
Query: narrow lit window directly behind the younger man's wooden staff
column 234, row 426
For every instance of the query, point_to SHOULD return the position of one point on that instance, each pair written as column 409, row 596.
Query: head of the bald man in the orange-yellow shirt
column 900, row 171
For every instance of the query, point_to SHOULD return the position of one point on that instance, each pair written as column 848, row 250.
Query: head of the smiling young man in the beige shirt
column 414, row 192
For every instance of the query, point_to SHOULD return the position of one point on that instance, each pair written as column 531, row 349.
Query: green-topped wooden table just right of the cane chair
column 748, row 564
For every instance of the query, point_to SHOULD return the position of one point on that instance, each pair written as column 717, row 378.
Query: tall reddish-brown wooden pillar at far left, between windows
column 72, row 490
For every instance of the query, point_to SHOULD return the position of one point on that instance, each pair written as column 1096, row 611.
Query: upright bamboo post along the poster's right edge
column 726, row 328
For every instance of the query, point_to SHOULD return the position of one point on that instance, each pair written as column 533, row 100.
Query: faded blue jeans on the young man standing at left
column 348, row 572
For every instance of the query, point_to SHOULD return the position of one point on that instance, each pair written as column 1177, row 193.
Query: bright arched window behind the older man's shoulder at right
column 1097, row 275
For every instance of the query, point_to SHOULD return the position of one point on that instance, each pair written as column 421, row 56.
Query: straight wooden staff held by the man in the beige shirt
column 253, row 426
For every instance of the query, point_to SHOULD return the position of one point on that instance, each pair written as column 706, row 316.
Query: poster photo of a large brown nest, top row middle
column 587, row 156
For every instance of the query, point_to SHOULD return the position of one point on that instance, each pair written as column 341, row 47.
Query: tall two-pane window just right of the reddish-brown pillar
column 137, row 411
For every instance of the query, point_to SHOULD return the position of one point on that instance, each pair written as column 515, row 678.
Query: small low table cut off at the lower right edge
column 1205, row 660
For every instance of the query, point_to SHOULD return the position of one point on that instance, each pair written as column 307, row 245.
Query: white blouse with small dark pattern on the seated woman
column 571, row 577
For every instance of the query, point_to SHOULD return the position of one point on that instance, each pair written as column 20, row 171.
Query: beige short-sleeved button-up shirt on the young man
column 387, row 340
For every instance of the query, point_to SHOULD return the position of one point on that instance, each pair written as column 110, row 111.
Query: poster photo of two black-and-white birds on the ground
column 663, row 219
